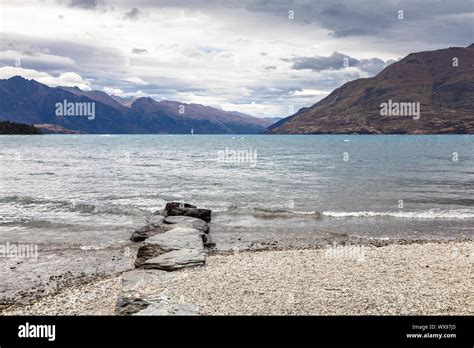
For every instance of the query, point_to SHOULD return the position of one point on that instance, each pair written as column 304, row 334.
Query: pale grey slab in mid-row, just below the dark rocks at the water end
column 176, row 239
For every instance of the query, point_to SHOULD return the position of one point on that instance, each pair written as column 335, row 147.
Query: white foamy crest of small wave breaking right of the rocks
column 430, row 214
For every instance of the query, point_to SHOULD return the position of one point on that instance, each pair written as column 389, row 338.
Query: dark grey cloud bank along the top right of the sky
column 347, row 18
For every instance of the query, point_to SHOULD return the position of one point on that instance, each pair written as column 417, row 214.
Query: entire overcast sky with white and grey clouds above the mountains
column 261, row 57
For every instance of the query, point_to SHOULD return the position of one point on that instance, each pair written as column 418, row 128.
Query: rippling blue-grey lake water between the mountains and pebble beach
column 81, row 196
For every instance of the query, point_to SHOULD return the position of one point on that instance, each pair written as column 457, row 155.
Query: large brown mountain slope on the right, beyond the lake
column 441, row 81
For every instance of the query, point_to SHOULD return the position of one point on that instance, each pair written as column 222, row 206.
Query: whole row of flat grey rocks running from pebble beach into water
column 175, row 242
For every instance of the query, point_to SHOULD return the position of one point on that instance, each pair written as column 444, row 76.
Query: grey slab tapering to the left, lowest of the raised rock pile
column 177, row 259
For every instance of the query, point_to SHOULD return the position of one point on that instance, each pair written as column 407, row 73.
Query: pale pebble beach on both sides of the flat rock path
column 430, row 277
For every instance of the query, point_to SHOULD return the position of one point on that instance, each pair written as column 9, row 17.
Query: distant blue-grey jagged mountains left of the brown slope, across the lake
column 31, row 102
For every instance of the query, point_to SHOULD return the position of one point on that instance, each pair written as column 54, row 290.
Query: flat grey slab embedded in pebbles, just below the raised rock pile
column 139, row 283
